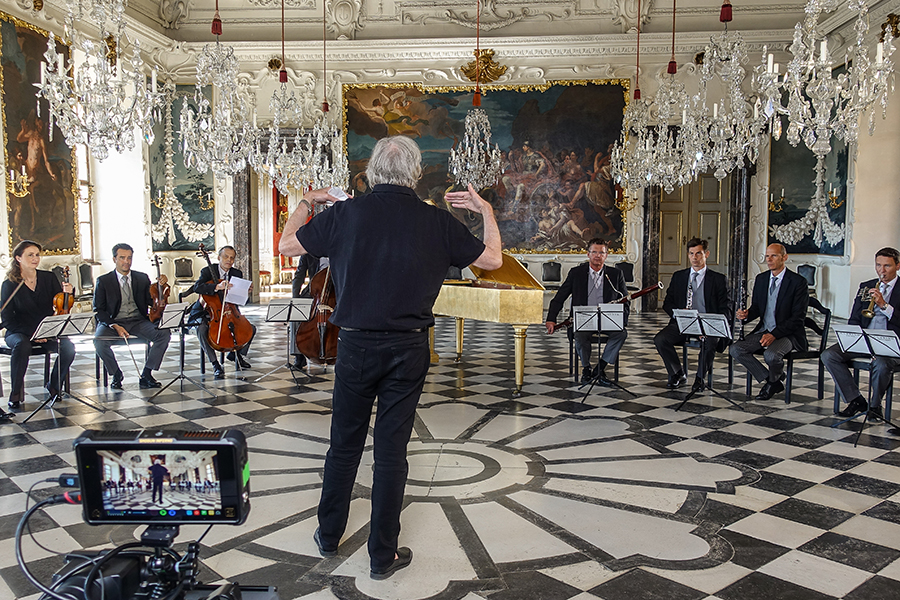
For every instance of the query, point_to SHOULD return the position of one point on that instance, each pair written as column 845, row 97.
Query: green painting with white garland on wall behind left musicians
column 186, row 219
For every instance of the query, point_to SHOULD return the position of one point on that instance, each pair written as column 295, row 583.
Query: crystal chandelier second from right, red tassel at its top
column 732, row 130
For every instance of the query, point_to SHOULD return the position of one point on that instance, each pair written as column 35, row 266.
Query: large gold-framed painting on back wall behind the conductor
column 556, row 191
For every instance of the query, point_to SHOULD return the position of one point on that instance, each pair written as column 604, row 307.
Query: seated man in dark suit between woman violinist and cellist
column 122, row 302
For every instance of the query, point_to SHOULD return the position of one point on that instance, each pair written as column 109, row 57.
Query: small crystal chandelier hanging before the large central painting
column 473, row 161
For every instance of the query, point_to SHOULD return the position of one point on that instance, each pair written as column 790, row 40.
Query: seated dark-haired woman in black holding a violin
column 26, row 297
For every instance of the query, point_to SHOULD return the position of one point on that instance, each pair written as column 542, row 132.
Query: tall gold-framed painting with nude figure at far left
column 47, row 212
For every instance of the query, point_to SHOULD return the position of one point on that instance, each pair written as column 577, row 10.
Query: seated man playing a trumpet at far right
column 887, row 316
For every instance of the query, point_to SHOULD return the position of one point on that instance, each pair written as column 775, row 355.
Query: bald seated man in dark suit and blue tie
column 780, row 300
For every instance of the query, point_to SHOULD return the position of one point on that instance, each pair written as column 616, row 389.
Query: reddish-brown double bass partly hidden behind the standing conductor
column 317, row 338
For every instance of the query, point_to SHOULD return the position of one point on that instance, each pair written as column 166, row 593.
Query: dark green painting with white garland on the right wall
column 792, row 187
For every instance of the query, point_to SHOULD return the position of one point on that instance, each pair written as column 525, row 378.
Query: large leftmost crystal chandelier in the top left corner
column 105, row 100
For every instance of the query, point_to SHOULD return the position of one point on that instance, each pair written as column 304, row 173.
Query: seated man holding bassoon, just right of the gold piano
column 590, row 284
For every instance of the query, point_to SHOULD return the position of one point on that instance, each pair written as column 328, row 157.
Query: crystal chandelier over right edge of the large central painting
column 631, row 161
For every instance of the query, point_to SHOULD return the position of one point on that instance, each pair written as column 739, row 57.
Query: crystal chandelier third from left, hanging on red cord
column 285, row 164
